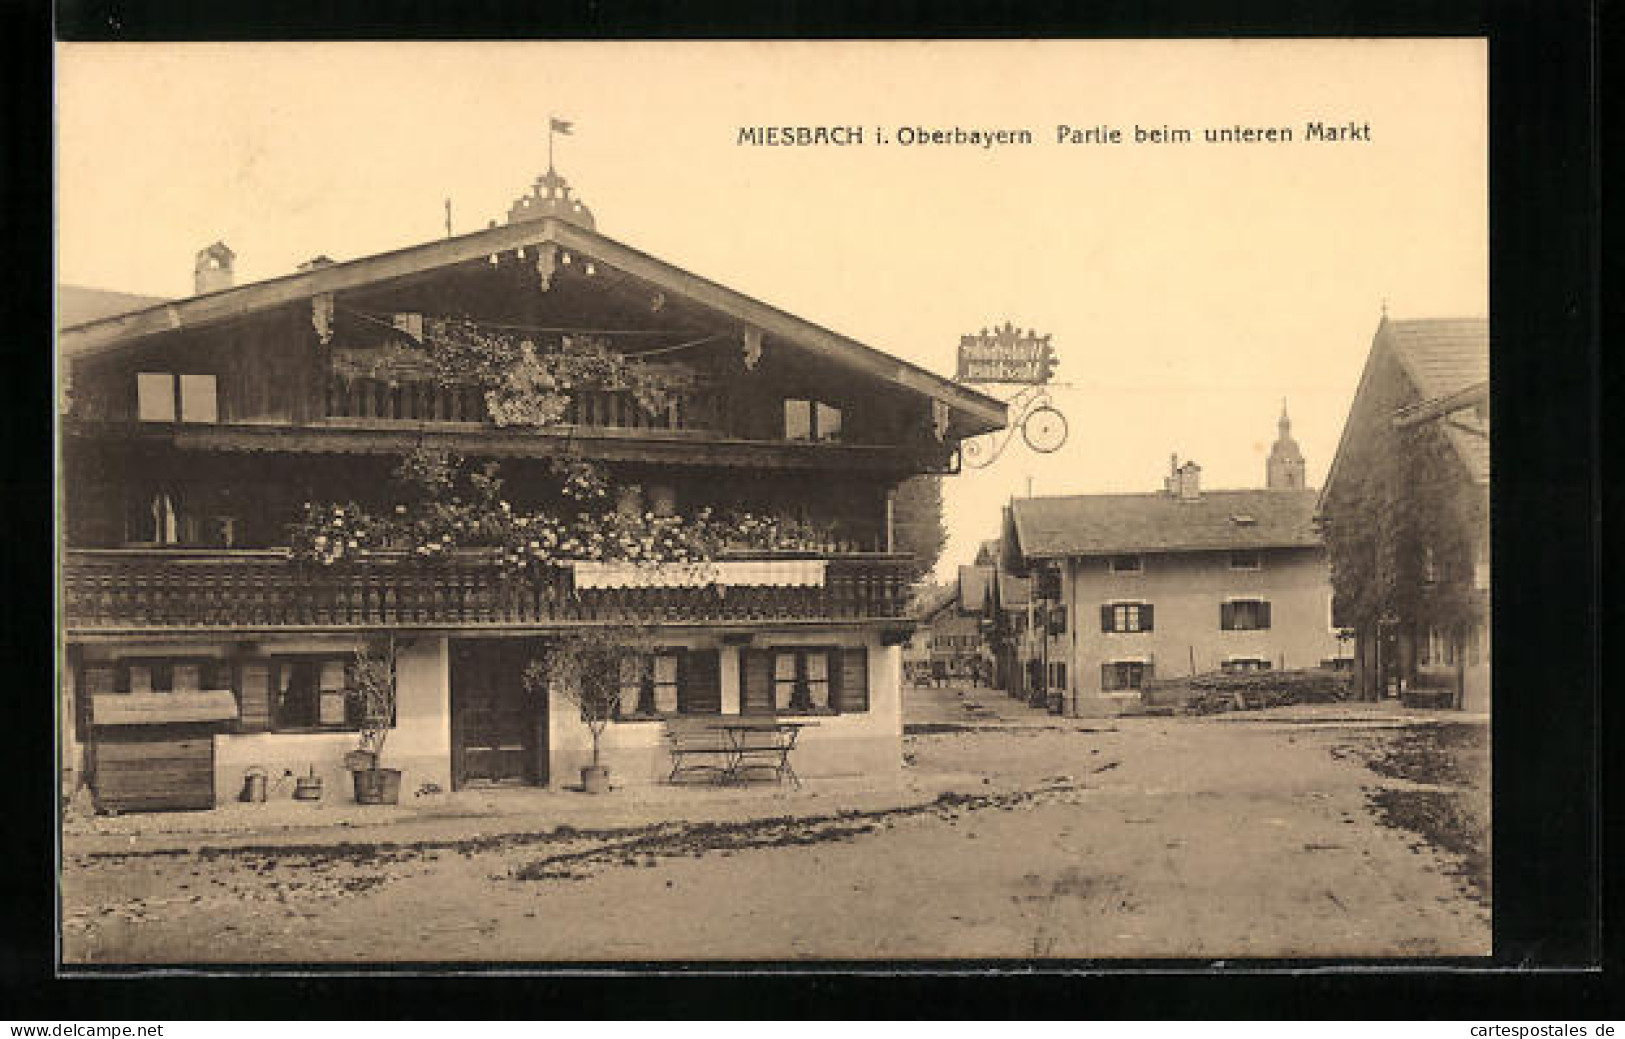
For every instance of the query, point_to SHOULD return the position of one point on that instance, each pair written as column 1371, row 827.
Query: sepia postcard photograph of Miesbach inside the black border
column 727, row 503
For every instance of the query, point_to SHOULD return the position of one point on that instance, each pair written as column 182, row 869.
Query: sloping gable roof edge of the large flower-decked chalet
column 973, row 412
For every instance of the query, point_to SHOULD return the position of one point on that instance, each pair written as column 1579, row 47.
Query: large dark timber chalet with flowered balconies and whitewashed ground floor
column 206, row 433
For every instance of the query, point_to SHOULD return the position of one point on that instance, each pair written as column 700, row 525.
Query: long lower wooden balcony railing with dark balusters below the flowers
column 183, row 591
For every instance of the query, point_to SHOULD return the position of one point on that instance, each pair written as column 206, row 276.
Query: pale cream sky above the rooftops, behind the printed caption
column 1187, row 289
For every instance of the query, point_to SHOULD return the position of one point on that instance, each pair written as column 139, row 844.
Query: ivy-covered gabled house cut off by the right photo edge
column 1406, row 513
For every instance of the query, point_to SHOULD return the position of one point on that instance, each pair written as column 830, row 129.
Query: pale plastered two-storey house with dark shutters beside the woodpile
column 1174, row 583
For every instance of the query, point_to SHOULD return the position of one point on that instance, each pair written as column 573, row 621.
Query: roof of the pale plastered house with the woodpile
column 1122, row 524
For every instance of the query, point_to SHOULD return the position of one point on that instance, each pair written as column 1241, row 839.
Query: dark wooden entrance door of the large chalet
column 500, row 733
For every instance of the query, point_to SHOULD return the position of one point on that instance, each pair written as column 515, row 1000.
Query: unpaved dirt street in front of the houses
column 1289, row 833
